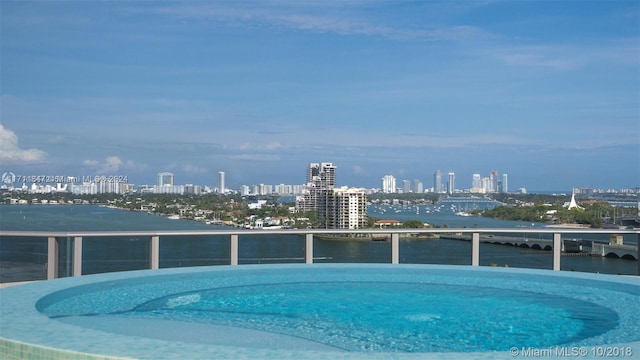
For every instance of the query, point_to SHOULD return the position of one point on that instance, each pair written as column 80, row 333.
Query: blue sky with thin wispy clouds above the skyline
column 545, row 91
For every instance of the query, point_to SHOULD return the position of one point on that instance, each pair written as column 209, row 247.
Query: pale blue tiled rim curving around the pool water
column 27, row 333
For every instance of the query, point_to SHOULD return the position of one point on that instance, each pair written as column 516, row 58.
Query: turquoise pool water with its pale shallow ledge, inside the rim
column 363, row 308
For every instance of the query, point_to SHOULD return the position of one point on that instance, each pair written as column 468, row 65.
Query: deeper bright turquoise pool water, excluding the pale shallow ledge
column 391, row 317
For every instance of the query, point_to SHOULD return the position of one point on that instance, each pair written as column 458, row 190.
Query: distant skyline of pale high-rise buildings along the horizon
column 318, row 175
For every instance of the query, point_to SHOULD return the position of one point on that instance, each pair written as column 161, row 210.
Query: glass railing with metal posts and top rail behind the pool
column 27, row 255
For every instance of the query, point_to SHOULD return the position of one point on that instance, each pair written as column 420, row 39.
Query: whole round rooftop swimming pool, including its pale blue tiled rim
column 344, row 310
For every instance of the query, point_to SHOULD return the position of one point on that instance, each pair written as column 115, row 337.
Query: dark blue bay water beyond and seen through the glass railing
column 25, row 258
